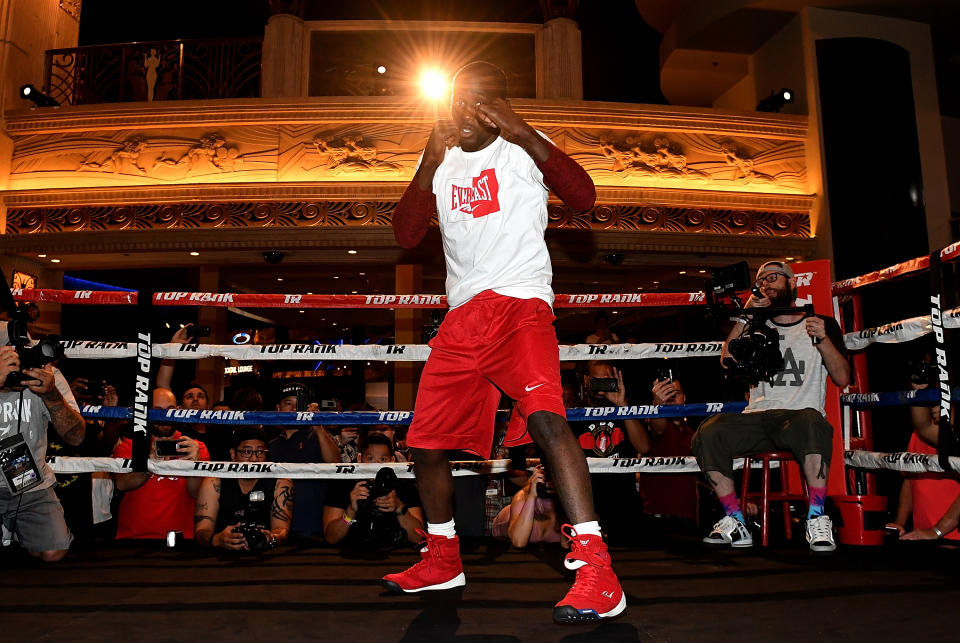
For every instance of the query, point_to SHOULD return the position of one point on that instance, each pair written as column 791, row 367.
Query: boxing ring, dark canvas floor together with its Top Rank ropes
column 676, row 589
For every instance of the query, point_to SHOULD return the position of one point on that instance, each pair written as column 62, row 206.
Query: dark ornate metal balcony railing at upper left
column 154, row 71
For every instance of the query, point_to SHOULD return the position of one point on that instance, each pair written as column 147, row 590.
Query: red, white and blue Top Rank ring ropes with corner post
column 856, row 435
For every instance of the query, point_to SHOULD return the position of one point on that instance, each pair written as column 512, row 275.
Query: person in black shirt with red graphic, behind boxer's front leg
column 615, row 495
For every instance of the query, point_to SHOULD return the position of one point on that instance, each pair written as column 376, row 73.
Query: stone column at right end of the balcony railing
column 284, row 40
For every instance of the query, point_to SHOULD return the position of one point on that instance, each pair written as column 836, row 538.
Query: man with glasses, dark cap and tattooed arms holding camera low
column 234, row 513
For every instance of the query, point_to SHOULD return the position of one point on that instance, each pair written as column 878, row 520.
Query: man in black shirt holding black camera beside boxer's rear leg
column 349, row 515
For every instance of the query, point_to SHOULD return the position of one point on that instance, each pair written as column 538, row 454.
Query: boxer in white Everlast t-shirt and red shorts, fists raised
column 488, row 173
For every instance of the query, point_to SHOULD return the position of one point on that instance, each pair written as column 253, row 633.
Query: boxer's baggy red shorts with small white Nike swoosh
column 490, row 344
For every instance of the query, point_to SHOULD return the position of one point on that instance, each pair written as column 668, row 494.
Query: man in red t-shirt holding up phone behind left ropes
column 154, row 505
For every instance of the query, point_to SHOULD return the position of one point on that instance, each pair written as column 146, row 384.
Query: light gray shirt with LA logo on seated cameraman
column 802, row 384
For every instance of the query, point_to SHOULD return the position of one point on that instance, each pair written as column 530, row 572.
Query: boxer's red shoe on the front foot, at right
column 596, row 593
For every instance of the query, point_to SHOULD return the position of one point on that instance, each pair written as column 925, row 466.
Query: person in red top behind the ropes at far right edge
column 928, row 498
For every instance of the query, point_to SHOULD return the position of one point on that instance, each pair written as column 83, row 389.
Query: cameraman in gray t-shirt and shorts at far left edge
column 35, row 515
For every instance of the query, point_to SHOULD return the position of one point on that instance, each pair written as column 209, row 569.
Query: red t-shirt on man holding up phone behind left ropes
column 161, row 505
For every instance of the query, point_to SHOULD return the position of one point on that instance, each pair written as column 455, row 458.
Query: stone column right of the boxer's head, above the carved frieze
column 559, row 60
